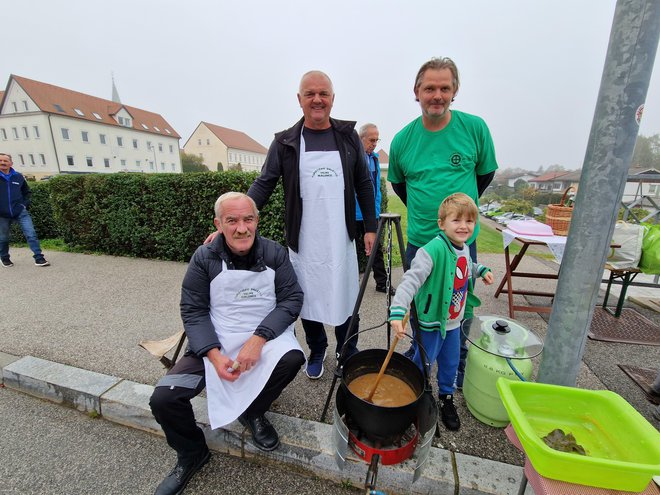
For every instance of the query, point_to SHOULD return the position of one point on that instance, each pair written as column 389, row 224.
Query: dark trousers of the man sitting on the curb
column 170, row 402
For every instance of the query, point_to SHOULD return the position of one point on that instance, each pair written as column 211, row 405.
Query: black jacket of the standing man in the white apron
column 283, row 160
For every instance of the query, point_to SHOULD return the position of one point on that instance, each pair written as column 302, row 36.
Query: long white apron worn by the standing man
column 326, row 262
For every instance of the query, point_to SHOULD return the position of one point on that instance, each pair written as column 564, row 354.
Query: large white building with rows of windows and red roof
column 50, row 130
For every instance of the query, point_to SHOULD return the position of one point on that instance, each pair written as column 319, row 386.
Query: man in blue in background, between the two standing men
column 369, row 135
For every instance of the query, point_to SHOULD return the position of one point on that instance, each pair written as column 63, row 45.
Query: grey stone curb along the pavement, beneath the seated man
column 305, row 445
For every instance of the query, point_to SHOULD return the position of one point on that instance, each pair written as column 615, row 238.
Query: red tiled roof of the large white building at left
column 46, row 96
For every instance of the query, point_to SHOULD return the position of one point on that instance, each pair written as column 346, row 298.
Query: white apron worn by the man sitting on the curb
column 240, row 300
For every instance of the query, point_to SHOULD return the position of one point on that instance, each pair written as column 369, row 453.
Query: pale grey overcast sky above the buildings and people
column 531, row 69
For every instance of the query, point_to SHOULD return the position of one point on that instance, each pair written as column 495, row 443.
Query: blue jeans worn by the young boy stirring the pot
column 443, row 351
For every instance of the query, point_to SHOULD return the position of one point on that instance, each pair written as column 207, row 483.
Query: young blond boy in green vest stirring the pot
column 440, row 281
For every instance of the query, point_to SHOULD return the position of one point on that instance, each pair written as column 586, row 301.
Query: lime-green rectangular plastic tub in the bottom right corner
column 623, row 449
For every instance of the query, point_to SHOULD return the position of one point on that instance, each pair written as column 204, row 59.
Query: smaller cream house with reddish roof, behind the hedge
column 216, row 144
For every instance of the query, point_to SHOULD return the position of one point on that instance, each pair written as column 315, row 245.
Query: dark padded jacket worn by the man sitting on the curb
column 206, row 264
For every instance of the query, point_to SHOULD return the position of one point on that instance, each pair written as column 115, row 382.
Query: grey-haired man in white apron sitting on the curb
column 239, row 301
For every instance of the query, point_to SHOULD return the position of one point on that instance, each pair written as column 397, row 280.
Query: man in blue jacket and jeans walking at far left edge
column 14, row 200
